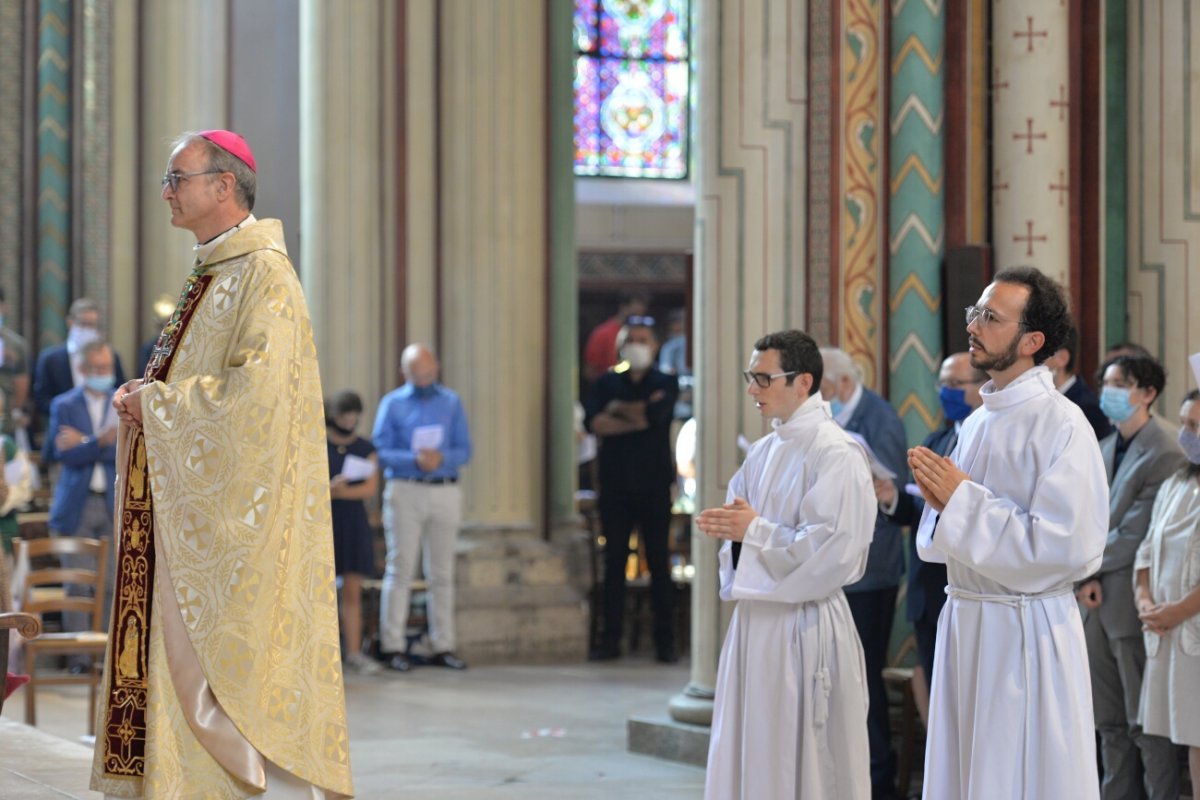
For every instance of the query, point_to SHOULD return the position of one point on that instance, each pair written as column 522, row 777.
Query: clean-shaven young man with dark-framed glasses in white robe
column 790, row 713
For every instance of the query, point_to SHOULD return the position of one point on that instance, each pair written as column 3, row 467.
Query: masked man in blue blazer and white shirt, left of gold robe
column 83, row 437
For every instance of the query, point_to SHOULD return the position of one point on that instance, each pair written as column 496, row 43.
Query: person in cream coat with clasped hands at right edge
column 1168, row 594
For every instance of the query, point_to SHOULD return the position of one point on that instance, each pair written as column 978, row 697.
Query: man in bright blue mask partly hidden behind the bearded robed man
column 958, row 384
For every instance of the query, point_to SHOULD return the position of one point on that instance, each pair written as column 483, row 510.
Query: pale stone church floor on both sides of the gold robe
column 490, row 732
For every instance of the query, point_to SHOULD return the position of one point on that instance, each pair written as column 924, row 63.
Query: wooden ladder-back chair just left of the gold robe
column 38, row 601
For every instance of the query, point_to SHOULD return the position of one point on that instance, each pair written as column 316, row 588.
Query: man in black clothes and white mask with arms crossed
column 629, row 410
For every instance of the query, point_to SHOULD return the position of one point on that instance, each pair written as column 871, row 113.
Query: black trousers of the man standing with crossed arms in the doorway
column 650, row 510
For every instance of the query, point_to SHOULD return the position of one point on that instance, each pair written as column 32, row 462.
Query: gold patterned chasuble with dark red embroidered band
column 225, row 648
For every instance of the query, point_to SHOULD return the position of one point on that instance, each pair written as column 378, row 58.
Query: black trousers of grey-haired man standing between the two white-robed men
column 873, row 612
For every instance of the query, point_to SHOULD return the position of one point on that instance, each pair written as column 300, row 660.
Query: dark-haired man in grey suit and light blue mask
column 1138, row 458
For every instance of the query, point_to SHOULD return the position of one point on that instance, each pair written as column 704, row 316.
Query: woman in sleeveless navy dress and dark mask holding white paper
column 355, row 477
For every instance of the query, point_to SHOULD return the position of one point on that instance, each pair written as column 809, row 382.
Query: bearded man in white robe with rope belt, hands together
column 1018, row 514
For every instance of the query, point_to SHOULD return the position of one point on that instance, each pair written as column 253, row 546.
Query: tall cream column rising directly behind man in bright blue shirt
column 494, row 249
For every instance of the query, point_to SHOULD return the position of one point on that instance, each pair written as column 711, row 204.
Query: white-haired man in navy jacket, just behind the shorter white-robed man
column 873, row 600
